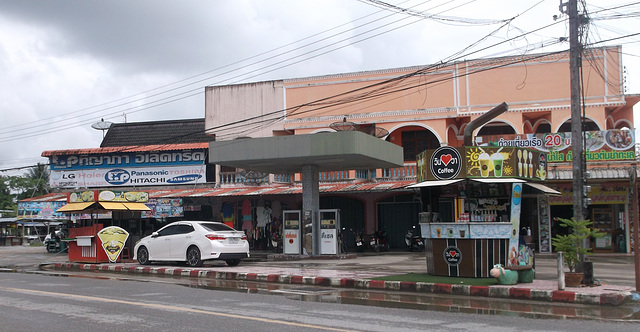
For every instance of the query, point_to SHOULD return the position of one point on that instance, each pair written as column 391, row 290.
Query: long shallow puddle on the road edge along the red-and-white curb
column 390, row 299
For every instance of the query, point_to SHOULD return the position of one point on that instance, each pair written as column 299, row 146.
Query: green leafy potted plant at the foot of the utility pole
column 571, row 246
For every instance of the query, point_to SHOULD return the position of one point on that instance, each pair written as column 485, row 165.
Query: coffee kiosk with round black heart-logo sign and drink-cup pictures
column 472, row 202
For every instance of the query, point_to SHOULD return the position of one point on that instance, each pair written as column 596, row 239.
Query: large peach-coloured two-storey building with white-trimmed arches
column 421, row 108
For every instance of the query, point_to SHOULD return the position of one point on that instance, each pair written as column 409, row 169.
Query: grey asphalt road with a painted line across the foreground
column 30, row 302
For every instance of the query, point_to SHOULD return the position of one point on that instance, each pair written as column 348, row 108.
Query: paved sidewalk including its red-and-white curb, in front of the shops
column 353, row 271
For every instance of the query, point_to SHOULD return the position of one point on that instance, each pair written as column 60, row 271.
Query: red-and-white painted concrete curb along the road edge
column 515, row 293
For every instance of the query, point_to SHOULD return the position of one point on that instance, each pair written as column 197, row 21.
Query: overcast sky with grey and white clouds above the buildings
column 67, row 64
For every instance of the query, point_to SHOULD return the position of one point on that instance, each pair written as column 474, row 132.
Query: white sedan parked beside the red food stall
column 193, row 242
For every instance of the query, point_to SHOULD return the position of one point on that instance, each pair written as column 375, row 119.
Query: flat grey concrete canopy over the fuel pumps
column 332, row 151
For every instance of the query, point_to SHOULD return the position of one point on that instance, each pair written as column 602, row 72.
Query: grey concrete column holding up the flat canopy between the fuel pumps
column 311, row 202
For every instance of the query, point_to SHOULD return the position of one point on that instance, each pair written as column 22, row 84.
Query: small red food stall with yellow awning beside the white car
column 94, row 243
